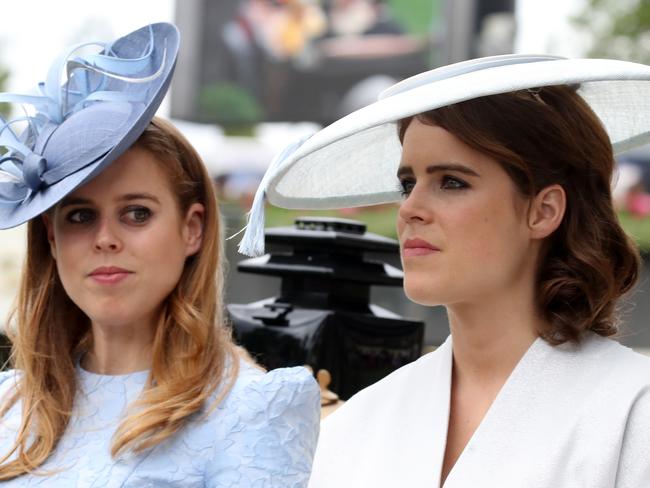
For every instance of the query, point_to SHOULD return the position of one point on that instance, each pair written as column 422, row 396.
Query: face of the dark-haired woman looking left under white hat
column 462, row 224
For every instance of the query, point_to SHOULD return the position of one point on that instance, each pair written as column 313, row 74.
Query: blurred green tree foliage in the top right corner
column 618, row 29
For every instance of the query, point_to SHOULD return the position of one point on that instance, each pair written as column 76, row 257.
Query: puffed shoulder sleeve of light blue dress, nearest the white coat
column 267, row 429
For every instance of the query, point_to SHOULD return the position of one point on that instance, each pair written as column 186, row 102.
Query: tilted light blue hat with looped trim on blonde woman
column 96, row 101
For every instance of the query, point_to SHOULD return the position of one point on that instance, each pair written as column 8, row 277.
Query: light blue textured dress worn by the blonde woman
column 262, row 435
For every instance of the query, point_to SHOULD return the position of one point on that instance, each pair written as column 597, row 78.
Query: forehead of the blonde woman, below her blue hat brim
column 136, row 170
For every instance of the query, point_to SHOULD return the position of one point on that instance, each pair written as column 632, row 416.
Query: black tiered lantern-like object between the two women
column 323, row 316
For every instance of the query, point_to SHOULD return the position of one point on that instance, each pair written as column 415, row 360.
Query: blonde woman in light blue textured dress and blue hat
column 125, row 374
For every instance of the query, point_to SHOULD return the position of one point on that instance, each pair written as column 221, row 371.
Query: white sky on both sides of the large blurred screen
column 35, row 31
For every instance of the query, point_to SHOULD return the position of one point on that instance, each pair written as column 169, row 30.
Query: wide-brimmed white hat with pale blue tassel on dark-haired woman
column 354, row 161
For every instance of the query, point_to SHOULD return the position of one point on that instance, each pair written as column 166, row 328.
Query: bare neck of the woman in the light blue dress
column 119, row 349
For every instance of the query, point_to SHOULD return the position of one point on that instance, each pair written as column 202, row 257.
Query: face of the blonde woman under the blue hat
column 120, row 242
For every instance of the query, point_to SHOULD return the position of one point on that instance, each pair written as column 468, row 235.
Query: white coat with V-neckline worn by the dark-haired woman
column 568, row 416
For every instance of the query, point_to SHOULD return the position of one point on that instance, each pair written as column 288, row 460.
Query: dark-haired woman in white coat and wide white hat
column 506, row 219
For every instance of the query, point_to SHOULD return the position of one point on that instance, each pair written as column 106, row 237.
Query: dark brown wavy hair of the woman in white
column 551, row 136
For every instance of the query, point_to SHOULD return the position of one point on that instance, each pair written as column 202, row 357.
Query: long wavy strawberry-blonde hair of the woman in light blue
column 193, row 353
